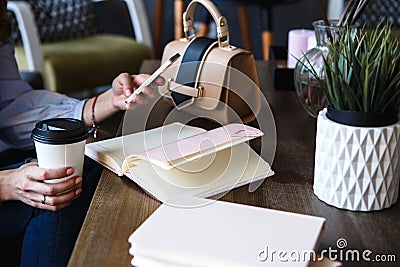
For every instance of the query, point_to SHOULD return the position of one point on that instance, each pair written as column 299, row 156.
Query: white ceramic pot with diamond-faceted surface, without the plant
column 356, row 168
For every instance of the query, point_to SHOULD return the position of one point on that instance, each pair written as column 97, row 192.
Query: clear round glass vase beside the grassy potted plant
column 307, row 88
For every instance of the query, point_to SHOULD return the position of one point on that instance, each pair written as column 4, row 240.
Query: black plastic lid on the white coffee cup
column 59, row 131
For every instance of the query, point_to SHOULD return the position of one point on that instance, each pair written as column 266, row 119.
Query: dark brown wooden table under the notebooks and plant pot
column 119, row 206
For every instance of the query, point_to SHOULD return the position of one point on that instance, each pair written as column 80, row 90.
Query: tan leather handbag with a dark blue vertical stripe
column 211, row 78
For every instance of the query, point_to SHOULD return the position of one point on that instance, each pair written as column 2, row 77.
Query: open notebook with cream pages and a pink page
column 208, row 162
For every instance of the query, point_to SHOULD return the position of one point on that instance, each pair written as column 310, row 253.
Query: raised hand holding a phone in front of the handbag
column 124, row 85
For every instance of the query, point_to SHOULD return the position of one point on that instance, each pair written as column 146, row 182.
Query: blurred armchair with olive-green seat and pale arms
column 80, row 45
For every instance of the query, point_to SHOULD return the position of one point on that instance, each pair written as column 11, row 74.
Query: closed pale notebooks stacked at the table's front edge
column 224, row 234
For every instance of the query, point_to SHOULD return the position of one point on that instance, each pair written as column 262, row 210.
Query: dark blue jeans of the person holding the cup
column 34, row 237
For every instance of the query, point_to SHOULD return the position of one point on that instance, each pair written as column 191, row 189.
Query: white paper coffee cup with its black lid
column 59, row 143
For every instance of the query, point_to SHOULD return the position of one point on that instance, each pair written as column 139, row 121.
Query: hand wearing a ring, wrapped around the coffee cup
column 27, row 185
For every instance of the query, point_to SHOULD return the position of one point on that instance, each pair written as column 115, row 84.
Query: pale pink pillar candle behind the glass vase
column 299, row 41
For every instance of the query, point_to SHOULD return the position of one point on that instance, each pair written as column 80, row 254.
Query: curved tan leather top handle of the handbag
column 220, row 21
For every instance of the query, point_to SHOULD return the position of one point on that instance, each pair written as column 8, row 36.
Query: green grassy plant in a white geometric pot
column 358, row 134
